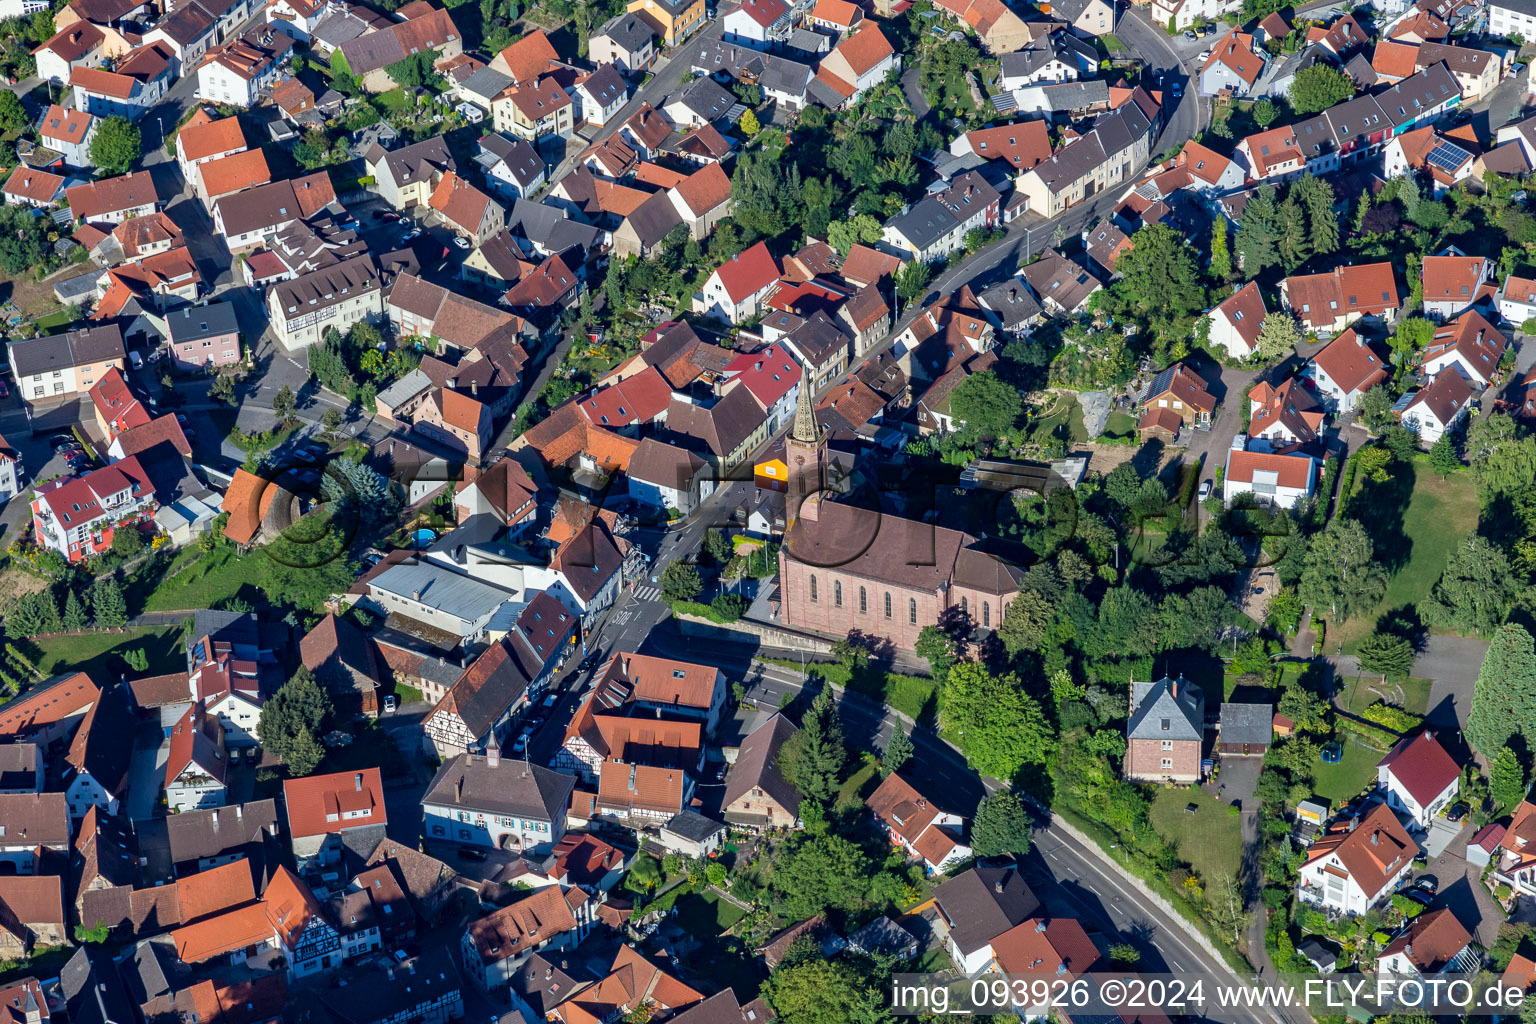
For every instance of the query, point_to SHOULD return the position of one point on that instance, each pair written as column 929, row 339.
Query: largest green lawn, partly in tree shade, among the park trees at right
column 1437, row 517
